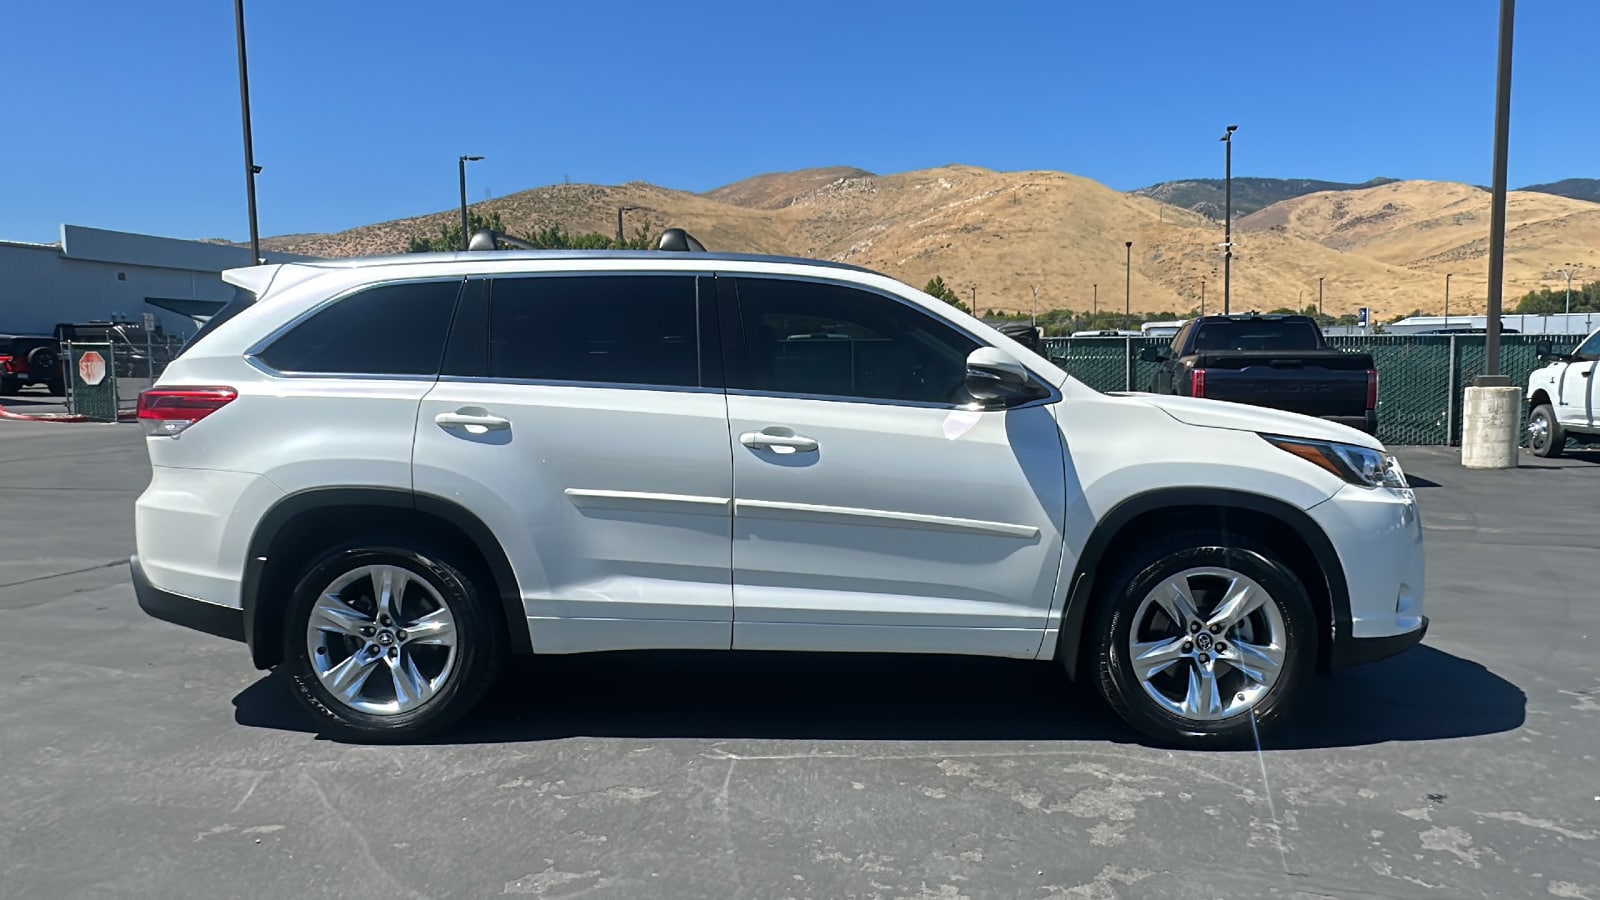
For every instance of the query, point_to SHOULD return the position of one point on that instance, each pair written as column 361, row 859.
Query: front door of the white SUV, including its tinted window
column 874, row 510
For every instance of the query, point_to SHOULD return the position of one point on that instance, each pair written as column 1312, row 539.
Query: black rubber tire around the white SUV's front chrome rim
column 1126, row 592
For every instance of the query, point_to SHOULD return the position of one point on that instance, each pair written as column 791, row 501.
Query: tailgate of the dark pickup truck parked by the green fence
column 1318, row 384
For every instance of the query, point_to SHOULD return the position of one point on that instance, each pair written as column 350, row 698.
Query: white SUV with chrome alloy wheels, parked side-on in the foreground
column 386, row 475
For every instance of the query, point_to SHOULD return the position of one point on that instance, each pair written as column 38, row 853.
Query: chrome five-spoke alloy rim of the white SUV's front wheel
column 1207, row 645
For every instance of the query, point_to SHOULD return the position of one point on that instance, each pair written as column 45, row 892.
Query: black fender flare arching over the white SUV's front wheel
column 1082, row 595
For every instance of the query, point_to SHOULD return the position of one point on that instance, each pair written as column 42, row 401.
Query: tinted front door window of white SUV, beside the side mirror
column 831, row 340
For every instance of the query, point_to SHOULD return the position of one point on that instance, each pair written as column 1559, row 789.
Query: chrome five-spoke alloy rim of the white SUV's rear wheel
column 382, row 640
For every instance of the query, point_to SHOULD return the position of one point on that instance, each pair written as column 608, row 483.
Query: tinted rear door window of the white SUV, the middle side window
column 596, row 329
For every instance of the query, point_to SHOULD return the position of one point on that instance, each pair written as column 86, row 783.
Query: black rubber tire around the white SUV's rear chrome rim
column 478, row 653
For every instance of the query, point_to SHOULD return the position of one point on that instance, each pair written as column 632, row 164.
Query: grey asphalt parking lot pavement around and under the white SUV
column 138, row 760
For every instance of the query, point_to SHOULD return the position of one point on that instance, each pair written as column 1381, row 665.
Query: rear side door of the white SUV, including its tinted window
column 582, row 417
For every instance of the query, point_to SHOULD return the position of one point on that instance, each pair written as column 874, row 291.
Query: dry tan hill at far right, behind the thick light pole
column 1436, row 228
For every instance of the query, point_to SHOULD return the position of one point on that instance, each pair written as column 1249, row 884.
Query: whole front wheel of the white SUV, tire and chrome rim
column 1201, row 637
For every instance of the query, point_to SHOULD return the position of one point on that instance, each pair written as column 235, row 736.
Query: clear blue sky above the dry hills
column 126, row 116
